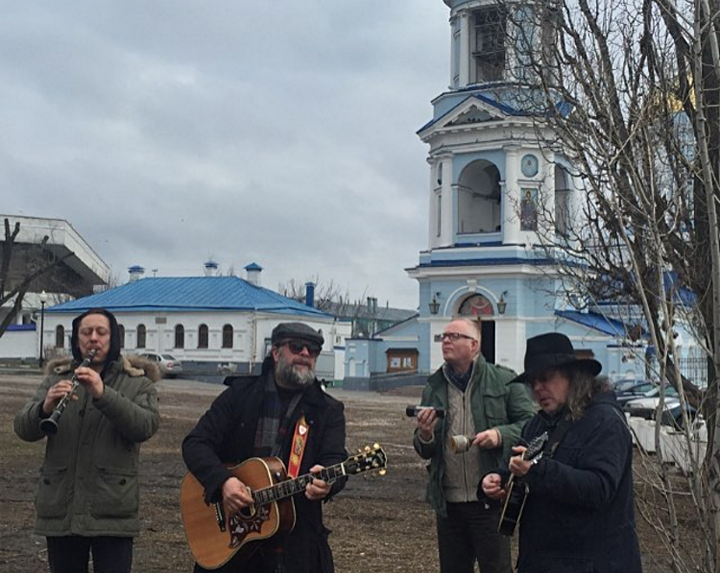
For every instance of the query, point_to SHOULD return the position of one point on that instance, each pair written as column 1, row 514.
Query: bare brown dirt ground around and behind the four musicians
column 378, row 523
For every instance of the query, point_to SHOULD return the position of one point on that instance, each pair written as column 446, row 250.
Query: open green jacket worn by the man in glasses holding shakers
column 494, row 404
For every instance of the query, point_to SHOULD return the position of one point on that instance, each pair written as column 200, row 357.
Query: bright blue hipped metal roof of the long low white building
column 168, row 294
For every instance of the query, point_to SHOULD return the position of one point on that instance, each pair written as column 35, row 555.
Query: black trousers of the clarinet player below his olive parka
column 71, row 554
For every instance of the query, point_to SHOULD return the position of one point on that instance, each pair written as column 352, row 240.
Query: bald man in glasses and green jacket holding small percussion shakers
column 487, row 414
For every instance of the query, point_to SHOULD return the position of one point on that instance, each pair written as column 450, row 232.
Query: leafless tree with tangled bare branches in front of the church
column 625, row 96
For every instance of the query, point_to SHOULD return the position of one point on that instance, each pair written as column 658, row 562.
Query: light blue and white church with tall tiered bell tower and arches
column 495, row 190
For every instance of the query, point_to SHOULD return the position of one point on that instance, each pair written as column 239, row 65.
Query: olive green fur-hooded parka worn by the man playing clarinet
column 89, row 482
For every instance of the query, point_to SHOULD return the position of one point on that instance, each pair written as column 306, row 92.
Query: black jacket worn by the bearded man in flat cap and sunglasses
column 226, row 435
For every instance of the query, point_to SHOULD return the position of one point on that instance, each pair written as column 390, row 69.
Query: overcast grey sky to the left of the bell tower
column 176, row 131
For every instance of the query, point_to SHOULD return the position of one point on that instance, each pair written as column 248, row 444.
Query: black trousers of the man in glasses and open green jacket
column 469, row 534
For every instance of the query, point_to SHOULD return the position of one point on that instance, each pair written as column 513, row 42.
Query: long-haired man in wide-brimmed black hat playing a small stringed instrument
column 579, row 511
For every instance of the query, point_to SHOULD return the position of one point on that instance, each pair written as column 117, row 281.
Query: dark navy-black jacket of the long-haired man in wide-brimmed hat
column 579, row 516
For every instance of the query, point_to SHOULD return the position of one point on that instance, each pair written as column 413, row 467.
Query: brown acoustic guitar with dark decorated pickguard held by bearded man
column 214, row 540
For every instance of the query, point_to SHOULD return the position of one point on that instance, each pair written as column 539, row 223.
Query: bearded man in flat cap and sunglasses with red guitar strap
column 285, row 413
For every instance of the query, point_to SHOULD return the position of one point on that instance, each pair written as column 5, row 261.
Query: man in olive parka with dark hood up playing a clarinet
column 87, row 497
